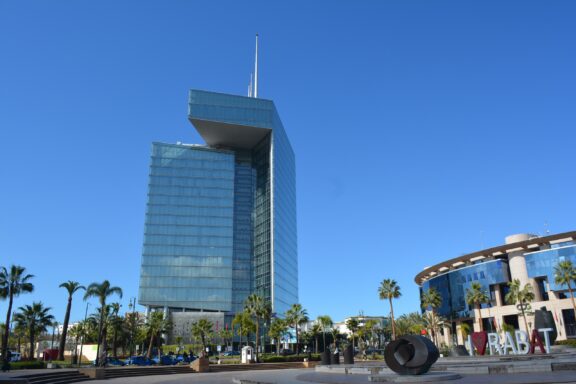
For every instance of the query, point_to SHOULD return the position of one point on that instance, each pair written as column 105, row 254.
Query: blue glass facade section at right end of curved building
column 542, row 263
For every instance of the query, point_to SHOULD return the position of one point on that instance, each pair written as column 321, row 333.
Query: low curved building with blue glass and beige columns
column 528, row 258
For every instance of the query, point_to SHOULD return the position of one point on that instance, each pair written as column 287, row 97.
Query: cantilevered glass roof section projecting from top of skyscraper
column 230, row 121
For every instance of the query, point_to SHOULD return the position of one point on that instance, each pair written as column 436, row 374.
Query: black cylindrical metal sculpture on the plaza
column 411, row 355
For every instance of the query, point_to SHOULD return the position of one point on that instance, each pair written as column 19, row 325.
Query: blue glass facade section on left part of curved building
column 452, row 286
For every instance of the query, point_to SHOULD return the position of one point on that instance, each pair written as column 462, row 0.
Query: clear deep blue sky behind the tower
column 422, row 130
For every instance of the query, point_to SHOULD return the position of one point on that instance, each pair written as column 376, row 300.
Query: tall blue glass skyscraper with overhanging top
column 221, row 217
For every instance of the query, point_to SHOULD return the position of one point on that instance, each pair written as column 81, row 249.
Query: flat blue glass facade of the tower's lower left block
column 188, row 235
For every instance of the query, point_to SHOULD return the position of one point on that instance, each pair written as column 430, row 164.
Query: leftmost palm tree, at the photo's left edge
column 12, row 284
